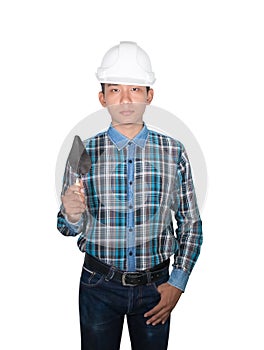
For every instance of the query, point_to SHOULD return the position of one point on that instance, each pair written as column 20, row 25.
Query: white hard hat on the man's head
column 126, row 64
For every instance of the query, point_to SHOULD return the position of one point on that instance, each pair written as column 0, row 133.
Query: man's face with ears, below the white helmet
column 126, row 103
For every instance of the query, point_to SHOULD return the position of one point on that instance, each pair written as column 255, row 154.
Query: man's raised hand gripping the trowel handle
column 74, row 202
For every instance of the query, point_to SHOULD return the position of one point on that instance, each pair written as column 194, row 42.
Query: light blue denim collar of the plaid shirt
column 122, row 141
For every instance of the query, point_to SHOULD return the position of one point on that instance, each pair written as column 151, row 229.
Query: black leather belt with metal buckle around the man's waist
column 126, row 278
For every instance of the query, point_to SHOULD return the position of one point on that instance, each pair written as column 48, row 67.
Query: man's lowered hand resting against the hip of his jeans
column 169, row 296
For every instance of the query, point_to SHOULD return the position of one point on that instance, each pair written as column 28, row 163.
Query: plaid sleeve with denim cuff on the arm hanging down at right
column 189, row 225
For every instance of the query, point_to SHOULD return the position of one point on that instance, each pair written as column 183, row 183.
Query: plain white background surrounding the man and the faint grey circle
column 208, row 58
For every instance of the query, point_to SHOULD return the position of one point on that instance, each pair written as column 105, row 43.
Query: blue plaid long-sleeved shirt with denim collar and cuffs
column 133, row 190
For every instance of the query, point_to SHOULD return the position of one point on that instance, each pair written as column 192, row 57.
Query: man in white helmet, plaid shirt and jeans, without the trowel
column 122, row 208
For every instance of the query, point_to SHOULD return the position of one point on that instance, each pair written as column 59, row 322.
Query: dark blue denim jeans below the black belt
column 103, row 305
